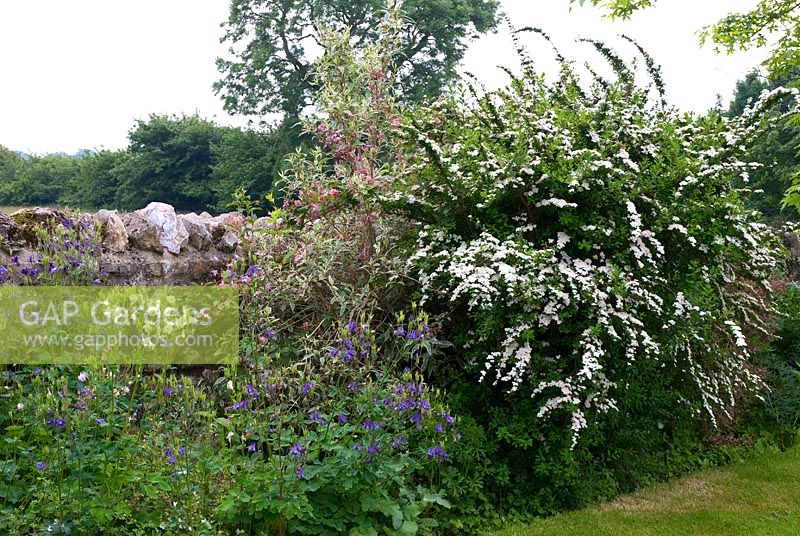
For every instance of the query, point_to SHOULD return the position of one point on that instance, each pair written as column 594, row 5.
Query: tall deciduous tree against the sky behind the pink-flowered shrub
column 274, row 44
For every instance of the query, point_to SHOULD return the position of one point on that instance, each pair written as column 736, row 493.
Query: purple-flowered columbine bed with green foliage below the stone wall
column 318, row 447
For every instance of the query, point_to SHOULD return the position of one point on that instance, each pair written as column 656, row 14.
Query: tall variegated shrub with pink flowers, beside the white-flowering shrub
column 329, row 238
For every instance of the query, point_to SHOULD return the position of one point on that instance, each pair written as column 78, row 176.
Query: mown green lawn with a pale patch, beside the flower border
column 759, row 496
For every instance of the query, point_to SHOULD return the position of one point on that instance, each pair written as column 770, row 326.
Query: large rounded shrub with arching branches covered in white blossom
column 576, row 235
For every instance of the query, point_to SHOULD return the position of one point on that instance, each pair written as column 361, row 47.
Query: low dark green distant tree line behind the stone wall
column 189, row 162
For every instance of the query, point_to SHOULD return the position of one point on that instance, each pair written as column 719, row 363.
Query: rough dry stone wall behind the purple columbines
column 151, row 246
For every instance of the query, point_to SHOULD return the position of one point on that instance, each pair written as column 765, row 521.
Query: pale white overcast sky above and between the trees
column 76, row 74
